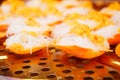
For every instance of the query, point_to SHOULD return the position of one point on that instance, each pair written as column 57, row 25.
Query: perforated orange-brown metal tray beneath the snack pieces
column 55, row 65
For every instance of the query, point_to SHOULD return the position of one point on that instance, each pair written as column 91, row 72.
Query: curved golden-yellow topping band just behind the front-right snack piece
column 100, row 19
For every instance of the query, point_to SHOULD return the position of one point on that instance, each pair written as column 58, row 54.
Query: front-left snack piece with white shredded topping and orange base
column 27, row 43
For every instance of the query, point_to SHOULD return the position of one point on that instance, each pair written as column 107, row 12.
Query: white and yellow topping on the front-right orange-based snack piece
column 75, row 34
